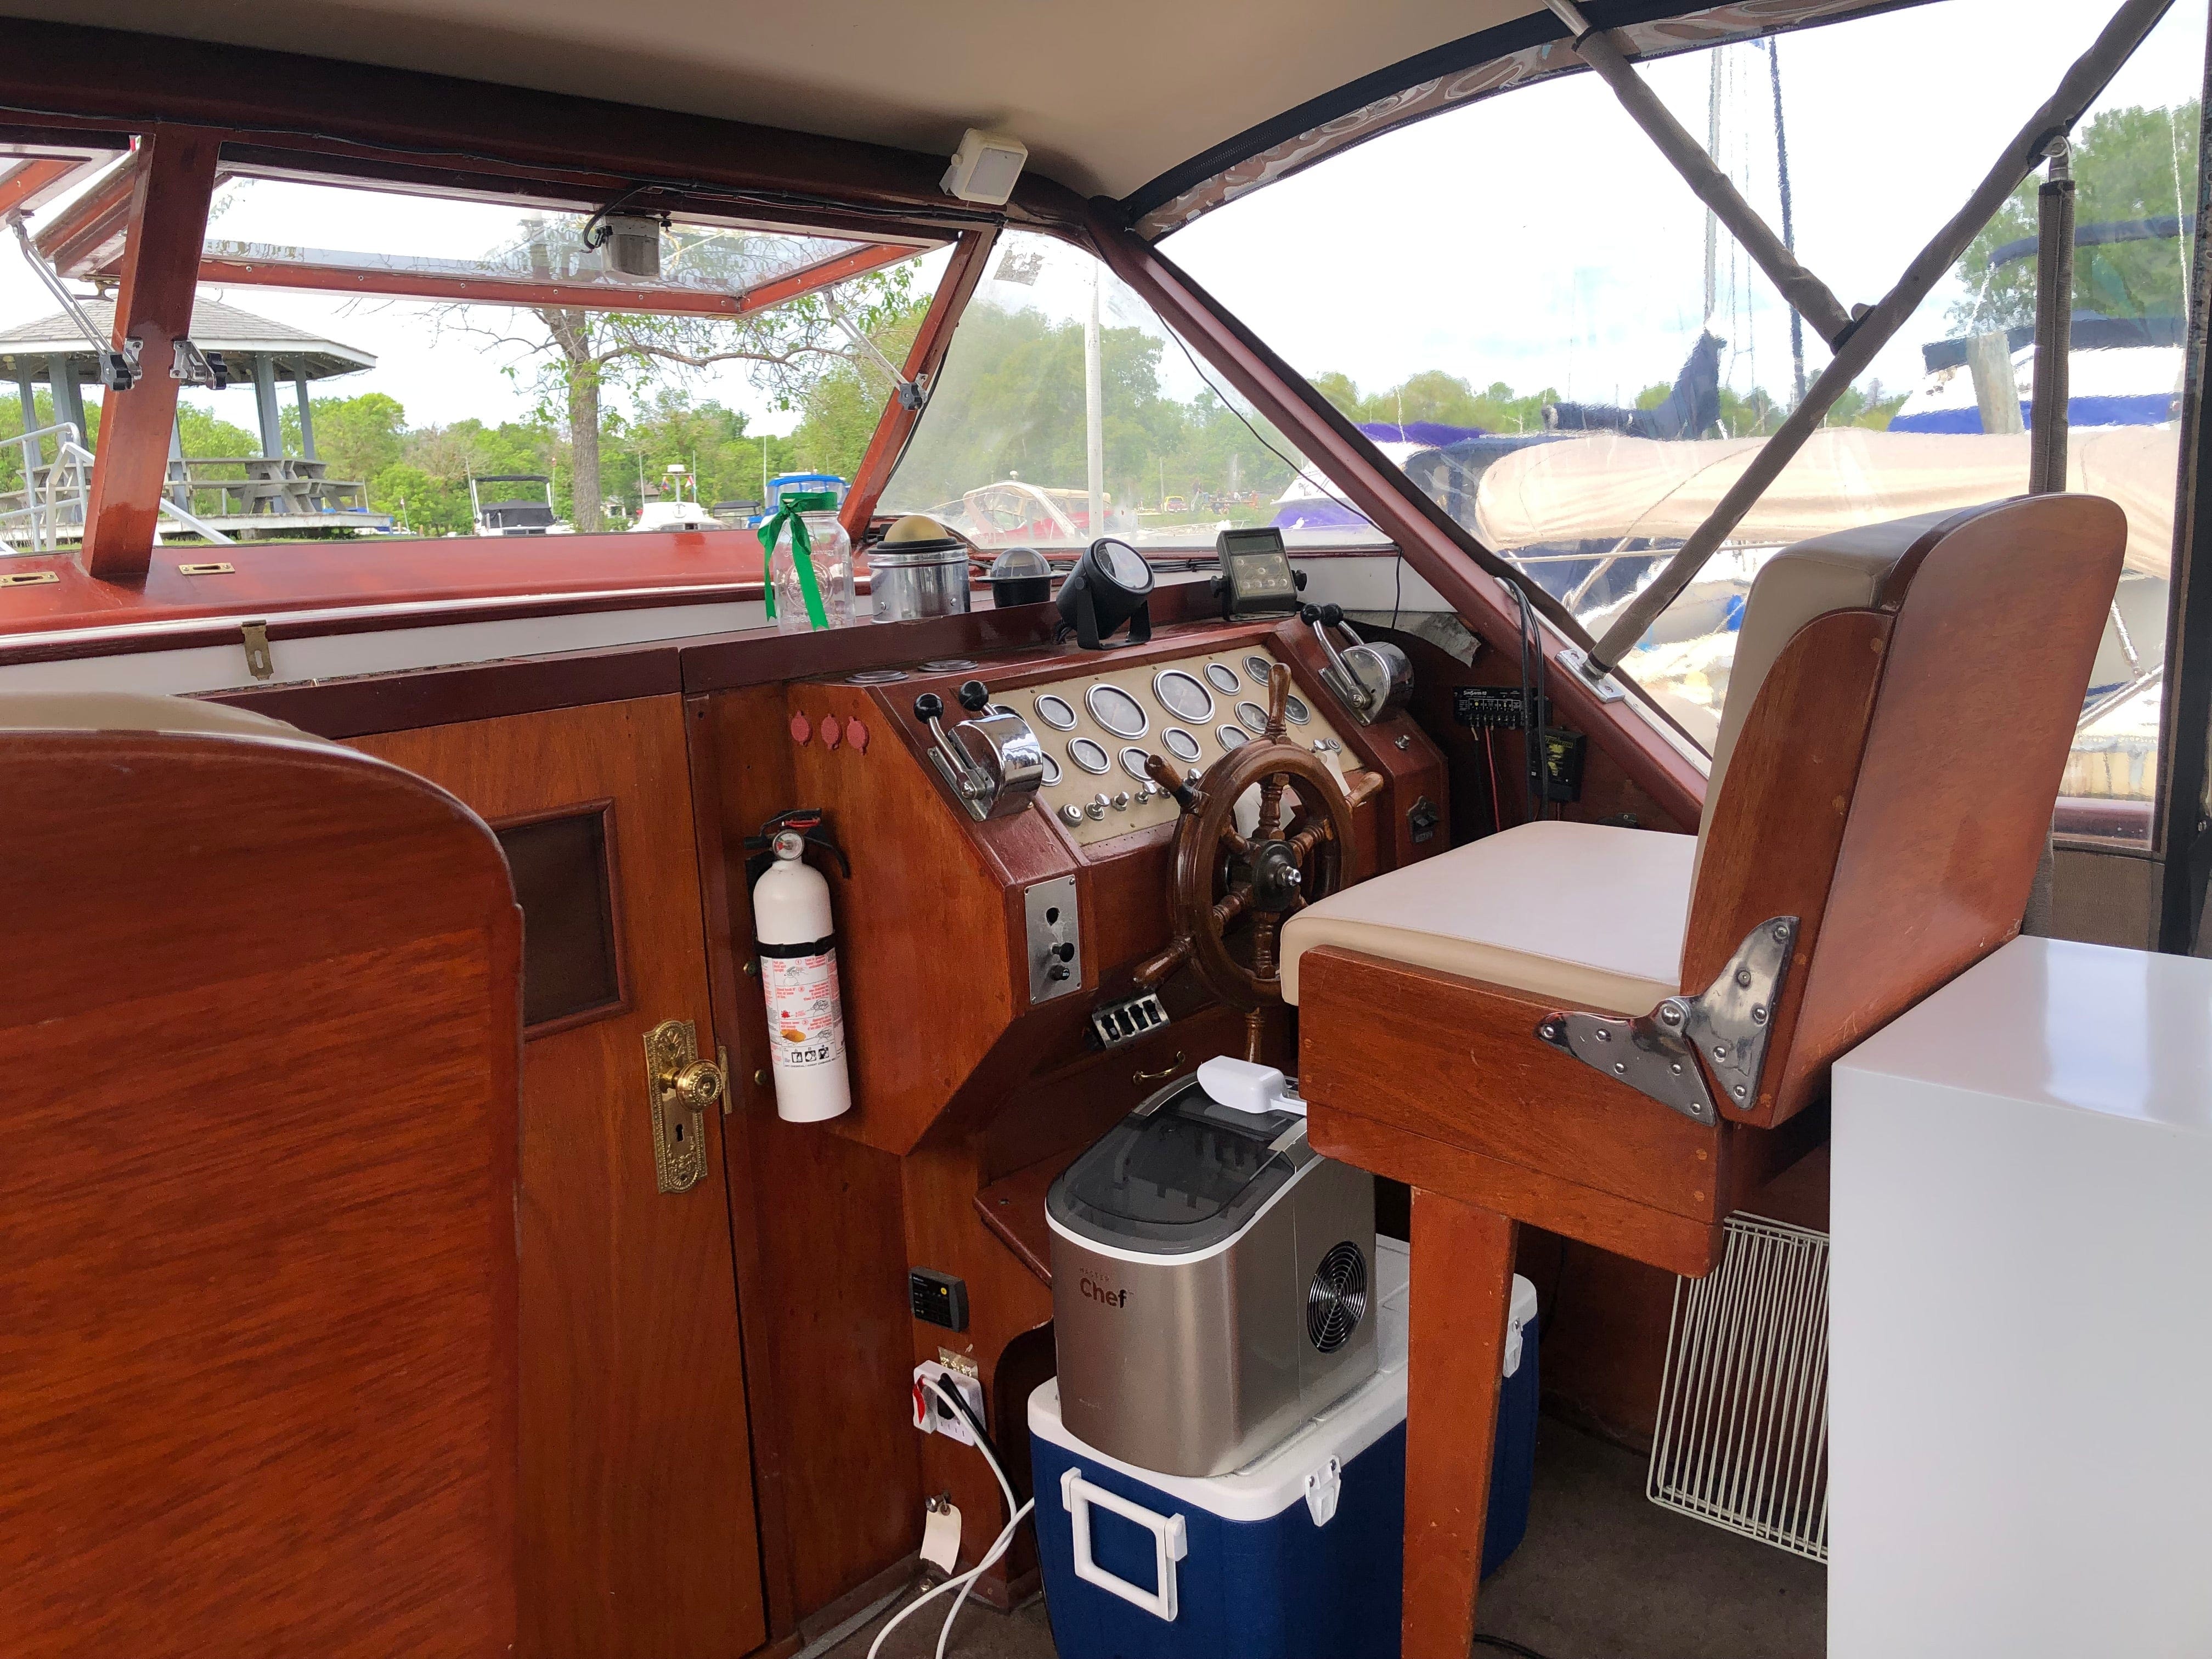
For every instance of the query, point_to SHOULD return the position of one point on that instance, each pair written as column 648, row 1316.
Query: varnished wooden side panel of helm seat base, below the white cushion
column 1459, row 1063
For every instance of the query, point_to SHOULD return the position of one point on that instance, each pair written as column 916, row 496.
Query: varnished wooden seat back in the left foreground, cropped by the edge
column 258, row 1196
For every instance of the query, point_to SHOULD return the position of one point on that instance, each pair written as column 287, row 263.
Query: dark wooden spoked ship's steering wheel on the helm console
column 1231, row 893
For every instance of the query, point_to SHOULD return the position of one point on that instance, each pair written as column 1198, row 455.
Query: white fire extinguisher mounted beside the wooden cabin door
column 797, row 943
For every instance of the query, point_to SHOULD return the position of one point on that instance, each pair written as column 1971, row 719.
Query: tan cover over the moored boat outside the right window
column 1609, row 488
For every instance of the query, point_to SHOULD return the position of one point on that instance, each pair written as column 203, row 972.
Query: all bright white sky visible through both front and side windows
column 1534, row 238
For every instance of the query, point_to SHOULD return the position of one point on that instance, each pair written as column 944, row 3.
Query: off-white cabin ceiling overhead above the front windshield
column 1107, row 96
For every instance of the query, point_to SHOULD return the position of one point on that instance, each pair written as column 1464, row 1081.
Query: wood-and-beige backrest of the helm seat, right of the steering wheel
column 1890, row 753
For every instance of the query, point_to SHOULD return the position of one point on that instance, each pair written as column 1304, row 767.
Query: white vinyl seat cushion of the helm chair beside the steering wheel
column 1580, row 912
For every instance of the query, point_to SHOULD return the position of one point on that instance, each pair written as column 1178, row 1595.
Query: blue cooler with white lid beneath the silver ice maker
column 1295, row 1556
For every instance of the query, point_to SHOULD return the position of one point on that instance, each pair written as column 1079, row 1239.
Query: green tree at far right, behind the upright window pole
column 2129, row 165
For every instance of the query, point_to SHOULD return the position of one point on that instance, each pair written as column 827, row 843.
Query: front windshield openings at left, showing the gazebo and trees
column 413, row 366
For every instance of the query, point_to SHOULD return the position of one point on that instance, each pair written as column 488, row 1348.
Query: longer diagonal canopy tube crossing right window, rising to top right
column 2083, row 85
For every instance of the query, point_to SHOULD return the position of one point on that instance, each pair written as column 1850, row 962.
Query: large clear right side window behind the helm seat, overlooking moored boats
column 1565, row 353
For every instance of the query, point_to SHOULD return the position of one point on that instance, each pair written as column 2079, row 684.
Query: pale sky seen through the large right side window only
column 1541, row 240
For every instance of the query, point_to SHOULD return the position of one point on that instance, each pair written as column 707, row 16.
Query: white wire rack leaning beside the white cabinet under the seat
column 1742, row 1439
